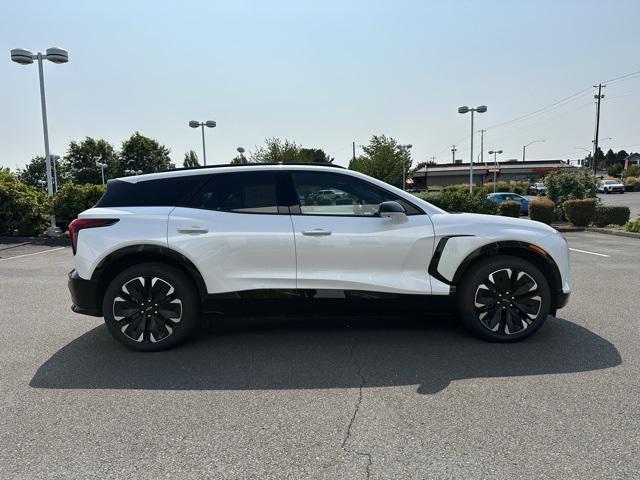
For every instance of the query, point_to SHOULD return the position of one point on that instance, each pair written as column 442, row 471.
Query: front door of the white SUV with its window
column 342, row 244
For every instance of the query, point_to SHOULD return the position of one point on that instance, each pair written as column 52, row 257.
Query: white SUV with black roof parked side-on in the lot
column 159, row 250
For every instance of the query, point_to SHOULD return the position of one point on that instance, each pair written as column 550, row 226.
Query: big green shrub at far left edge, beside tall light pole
column 23, row 209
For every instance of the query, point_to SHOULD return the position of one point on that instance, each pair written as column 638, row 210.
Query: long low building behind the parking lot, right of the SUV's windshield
column 457, row 173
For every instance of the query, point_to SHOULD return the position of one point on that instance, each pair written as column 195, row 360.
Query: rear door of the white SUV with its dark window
column 235, row 234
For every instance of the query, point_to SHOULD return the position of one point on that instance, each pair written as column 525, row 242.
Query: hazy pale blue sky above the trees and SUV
column 323, row 74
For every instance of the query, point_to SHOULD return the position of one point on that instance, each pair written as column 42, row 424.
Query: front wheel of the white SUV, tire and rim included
column 490, row 310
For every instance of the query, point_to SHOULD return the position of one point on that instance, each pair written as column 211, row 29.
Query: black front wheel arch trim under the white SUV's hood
column 524, row 250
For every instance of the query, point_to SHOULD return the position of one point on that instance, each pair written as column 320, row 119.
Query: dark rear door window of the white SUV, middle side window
column 247, row 192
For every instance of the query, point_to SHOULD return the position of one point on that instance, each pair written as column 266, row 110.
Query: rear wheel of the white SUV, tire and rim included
column 128, row 299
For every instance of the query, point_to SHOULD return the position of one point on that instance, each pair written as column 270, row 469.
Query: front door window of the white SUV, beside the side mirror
column 322, row 193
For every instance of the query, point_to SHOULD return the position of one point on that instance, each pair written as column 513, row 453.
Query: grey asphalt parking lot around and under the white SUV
column 383, row 398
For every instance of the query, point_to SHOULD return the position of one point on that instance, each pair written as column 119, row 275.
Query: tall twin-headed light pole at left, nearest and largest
column 25, row 57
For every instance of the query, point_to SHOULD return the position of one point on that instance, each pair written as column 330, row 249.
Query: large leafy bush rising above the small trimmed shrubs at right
column 562, row 186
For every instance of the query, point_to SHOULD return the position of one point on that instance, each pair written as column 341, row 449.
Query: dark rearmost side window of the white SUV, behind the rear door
column 166, row 192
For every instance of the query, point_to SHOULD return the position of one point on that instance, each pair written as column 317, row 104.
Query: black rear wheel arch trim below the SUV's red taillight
column 125, row 257
